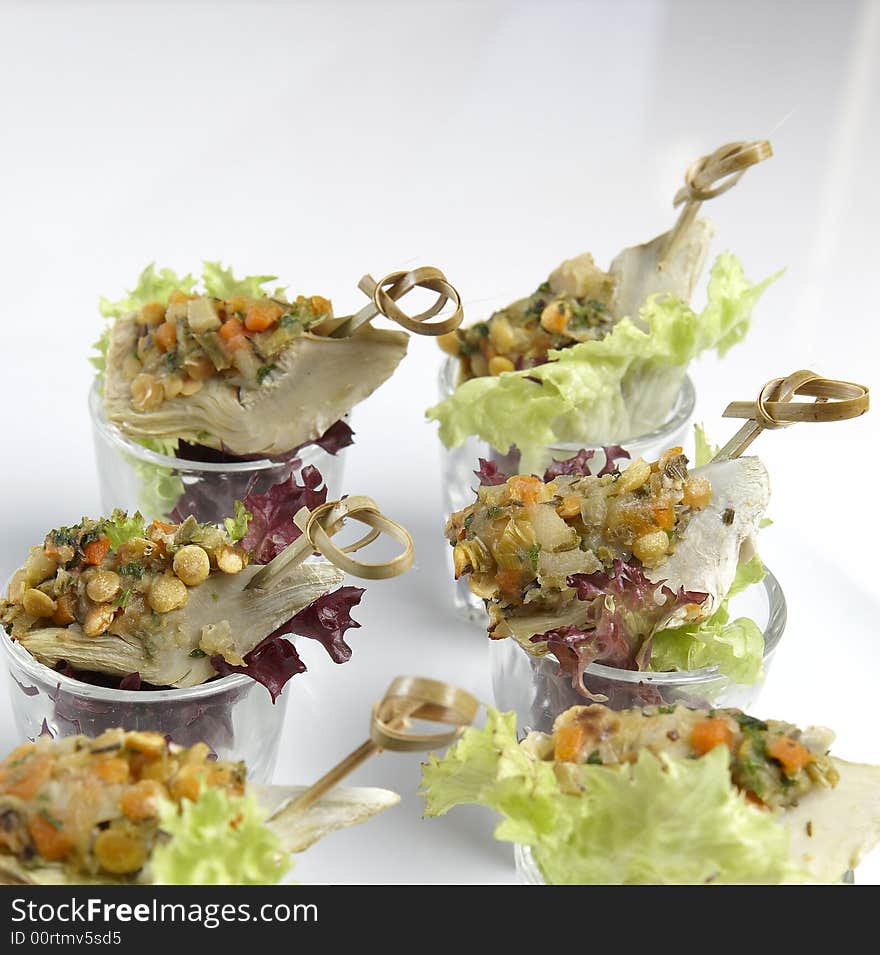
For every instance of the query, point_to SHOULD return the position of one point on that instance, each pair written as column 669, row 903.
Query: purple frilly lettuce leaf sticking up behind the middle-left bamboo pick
column 271, row 528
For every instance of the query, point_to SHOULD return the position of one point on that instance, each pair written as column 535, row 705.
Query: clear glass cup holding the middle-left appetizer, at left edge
column 234, row 715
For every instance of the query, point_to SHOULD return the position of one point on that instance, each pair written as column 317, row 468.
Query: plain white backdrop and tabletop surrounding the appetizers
column 493, row 140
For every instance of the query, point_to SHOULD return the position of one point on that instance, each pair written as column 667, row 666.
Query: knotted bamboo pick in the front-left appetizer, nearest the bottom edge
column 407, row 698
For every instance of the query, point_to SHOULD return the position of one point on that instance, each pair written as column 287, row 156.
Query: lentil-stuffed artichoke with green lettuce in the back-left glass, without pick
column 233, row 367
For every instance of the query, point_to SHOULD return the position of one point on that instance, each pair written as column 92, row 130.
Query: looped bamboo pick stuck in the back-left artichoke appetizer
column 385, row 294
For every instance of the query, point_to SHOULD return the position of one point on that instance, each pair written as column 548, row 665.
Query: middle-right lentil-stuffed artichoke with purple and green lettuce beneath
column 609, row 567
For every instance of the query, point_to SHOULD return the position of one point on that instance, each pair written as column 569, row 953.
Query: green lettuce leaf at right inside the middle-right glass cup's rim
column 736, row 647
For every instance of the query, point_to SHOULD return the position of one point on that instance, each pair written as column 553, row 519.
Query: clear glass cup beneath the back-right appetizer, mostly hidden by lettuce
column 459, row 464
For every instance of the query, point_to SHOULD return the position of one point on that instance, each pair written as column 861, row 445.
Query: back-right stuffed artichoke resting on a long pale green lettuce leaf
column 593, row 356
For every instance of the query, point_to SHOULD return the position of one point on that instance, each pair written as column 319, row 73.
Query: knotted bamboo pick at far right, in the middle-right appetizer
column 775, row 407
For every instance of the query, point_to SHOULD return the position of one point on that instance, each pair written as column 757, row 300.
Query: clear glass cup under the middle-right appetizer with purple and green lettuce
column 538, row 692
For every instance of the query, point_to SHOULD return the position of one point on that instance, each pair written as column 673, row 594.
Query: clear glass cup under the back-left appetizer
column 134, row 478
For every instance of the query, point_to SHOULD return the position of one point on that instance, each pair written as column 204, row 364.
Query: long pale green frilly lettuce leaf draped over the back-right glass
column 596, row 392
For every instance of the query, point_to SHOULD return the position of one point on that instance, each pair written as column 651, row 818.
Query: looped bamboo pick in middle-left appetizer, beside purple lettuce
column 318, row 525
